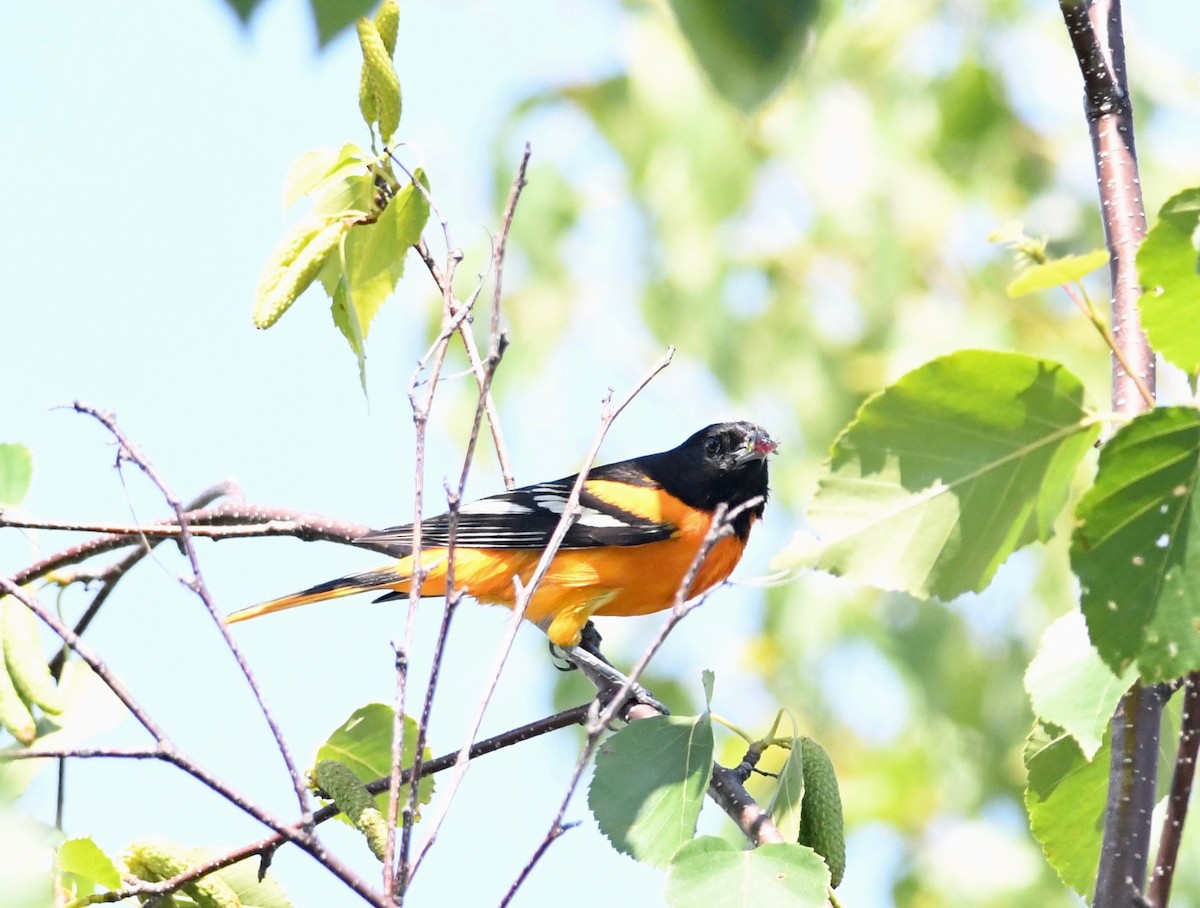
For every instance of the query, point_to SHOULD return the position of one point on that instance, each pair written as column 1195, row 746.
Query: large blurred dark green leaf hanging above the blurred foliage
column 747, row 50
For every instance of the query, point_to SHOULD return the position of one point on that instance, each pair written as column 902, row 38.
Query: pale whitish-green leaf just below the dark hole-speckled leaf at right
column 1071, row 687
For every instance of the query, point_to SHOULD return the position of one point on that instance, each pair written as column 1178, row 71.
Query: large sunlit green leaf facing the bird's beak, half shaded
column 946, row 473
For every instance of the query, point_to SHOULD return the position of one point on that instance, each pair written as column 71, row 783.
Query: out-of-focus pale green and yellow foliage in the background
column 808, row 251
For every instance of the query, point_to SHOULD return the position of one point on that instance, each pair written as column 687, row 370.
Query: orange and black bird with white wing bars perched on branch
column 641, row 527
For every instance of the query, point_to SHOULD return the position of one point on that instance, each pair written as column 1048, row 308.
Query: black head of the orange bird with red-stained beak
column 723, row 464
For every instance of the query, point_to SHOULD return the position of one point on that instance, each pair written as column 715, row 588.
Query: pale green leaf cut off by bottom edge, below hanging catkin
column 710, row 873
